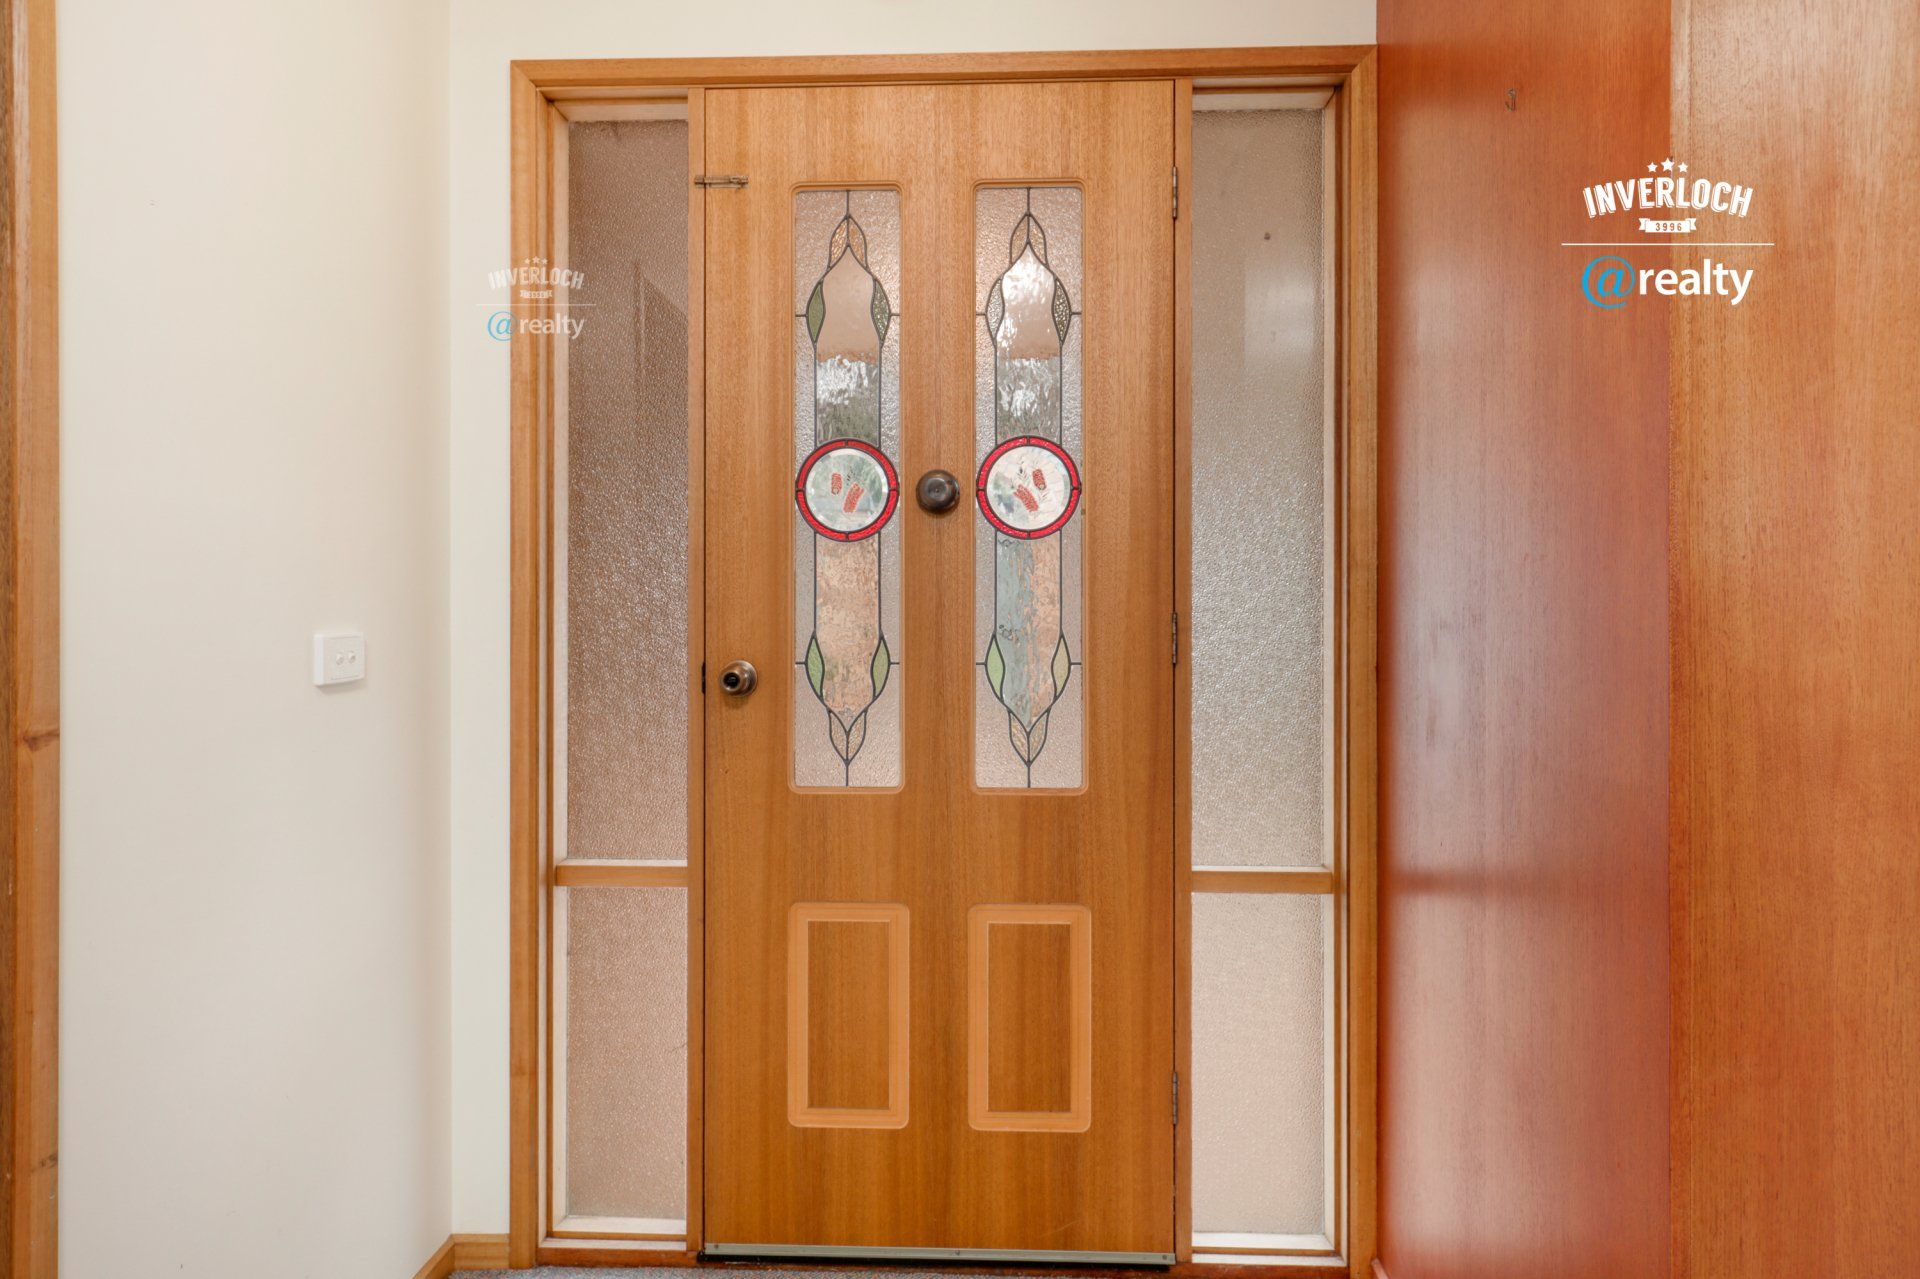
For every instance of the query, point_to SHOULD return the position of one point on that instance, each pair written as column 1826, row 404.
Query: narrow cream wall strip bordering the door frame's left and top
column 487, row 36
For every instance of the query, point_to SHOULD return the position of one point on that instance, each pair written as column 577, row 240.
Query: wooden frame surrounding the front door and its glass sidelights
column 542, row 97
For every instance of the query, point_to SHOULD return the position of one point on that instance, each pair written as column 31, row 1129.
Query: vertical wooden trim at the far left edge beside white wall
column 30, row 646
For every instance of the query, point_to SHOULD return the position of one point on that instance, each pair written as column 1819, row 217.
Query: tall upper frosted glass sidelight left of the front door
column 627, row 493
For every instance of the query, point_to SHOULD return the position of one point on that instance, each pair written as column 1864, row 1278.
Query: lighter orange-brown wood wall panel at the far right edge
column 1796, row 468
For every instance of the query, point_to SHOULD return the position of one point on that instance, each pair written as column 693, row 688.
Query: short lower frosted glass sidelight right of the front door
column 1260, row 1061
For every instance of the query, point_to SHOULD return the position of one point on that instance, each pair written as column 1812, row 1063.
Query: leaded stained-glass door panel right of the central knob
column 1028, row 533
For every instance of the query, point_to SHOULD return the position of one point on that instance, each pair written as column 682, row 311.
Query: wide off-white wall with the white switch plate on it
column 256, row 904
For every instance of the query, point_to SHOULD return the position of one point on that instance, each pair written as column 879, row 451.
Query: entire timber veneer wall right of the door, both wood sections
column 1593, row 698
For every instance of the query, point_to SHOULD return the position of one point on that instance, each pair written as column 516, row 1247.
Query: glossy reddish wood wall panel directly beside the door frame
column 1524, row 654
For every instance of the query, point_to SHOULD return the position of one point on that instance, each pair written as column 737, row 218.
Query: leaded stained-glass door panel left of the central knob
column 848, row 489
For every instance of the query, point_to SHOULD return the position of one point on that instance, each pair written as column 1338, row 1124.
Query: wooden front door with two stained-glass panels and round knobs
column 940, row 817
